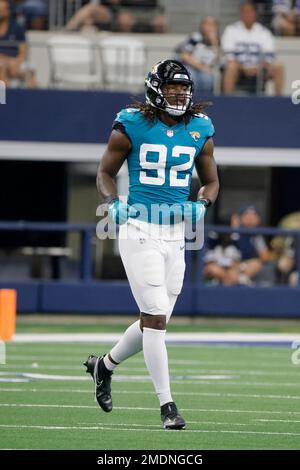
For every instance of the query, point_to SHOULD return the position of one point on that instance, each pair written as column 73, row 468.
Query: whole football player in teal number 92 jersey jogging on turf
column 162, row 140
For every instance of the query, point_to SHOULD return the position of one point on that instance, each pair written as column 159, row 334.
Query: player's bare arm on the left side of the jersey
column 114, row 156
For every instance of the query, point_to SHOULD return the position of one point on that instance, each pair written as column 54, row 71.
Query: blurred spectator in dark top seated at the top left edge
column 13, row 51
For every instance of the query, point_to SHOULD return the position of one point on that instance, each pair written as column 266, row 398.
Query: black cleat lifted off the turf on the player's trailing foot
column 102, row 378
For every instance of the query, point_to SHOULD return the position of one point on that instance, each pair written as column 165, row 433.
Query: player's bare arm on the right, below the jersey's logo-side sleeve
column 207, row 171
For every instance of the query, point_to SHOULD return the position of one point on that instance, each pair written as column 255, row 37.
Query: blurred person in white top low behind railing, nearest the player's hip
column 221, row 261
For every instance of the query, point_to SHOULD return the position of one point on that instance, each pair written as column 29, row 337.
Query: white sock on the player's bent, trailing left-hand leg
column 129, row 344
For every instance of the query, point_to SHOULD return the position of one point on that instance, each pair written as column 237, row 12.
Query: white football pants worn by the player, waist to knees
column 154, row 264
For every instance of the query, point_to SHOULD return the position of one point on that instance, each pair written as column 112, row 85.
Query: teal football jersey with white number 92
column 162, row 158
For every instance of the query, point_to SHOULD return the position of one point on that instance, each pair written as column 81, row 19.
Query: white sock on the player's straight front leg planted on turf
column 156, row 359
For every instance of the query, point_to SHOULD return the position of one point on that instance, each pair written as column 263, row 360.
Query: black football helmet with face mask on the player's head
column 165, row 72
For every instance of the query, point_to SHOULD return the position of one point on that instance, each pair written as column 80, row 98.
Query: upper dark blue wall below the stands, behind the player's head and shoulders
column 86, row 117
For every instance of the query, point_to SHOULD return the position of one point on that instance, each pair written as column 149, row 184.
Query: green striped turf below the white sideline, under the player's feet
column 231, row 398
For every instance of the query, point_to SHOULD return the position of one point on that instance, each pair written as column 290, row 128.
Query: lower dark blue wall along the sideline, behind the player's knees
column 115, row 297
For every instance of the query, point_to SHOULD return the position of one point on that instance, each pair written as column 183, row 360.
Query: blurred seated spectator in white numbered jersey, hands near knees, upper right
column 249, row 50
